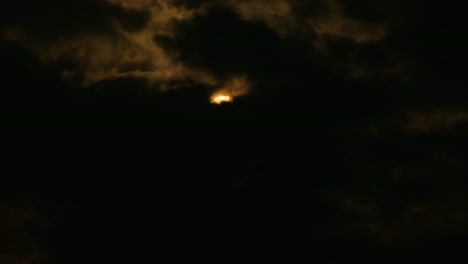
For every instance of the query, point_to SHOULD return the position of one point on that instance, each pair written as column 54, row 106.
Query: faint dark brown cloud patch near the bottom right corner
column 417, row 220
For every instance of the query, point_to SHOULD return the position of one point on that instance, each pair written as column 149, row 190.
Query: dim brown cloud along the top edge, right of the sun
column 329, row 23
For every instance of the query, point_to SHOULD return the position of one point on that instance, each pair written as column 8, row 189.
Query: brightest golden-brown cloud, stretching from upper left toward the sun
column 98, row 57
